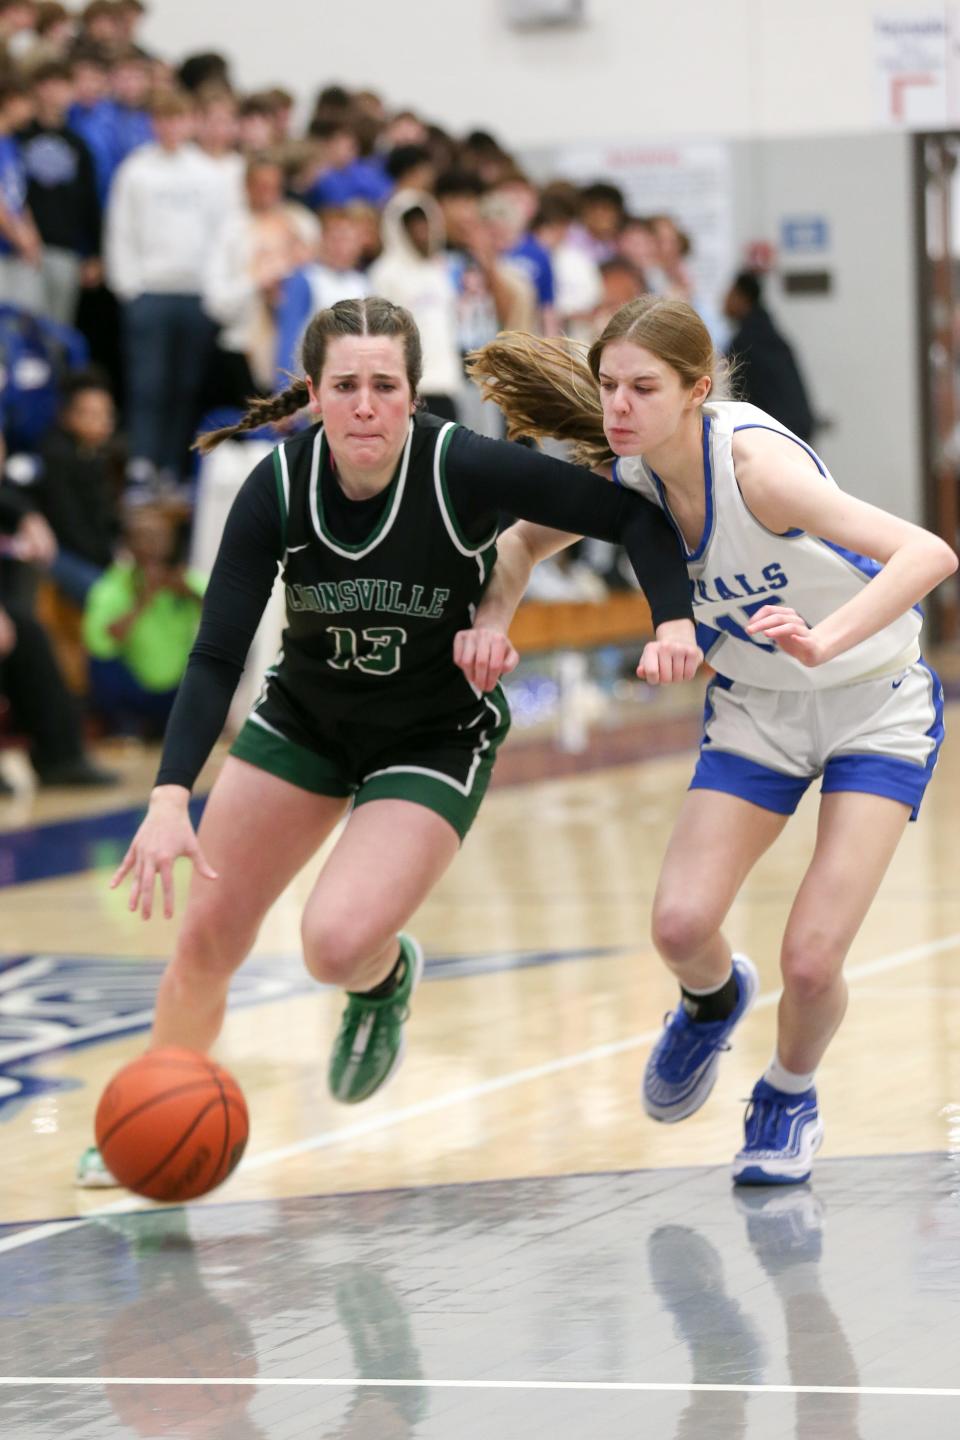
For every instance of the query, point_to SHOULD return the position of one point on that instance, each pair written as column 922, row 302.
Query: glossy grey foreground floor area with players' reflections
column 667, row 1291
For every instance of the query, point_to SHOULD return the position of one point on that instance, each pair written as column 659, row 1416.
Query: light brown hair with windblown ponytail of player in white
column 551, row 388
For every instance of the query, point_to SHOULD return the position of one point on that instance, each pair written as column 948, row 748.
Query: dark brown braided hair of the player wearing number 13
column 349, row 318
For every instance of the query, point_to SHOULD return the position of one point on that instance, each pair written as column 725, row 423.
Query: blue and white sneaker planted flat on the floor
column 784, row 1133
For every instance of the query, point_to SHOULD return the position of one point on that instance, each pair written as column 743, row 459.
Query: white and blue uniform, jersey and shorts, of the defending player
column 869, row 721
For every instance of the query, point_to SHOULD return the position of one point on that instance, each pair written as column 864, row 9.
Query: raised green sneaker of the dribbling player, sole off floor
column 371, row 1043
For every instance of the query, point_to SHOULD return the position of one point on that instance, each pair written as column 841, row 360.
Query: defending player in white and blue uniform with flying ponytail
column 807, row 608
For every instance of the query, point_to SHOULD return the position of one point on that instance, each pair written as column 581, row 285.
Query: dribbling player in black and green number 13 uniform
column 384, row 522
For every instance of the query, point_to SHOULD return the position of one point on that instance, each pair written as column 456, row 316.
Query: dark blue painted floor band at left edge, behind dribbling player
column 71, row 846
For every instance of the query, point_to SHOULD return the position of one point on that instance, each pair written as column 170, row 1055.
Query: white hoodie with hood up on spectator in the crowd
column 424, row 286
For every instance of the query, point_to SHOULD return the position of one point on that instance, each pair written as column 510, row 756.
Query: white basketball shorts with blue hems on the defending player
column 877, row 737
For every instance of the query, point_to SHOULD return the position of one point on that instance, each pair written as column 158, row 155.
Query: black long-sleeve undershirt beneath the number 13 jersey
column 486, row 479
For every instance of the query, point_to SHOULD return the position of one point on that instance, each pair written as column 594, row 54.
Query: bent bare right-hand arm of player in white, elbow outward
column 785, row 490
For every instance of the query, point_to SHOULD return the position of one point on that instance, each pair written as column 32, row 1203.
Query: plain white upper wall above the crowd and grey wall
column 637, row 67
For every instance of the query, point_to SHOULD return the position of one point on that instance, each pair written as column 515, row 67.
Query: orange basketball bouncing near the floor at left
column 172, row 1125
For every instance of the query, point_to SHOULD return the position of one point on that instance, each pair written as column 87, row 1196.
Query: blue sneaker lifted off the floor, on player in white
column 683, row 1068
